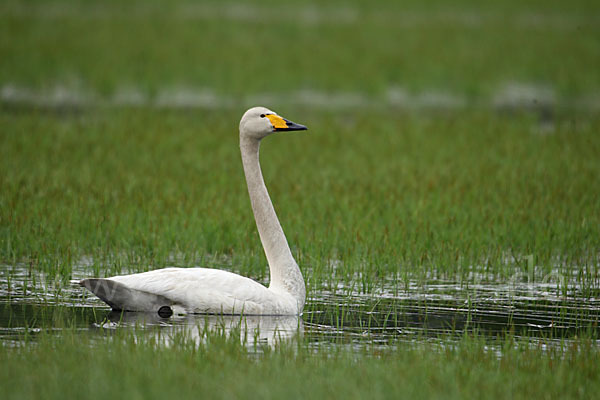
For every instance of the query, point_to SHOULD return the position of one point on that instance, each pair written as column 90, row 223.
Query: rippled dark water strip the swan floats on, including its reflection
column 439, row 311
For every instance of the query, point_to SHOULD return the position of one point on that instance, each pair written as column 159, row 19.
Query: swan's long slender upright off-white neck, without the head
column 285, row 273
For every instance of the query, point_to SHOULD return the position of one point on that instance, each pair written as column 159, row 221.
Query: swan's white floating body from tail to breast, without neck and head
column 191, row 290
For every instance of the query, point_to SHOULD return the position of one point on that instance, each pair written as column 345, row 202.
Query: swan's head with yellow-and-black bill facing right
column 259, row 122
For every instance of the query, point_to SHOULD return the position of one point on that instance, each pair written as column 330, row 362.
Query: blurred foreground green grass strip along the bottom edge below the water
column 131, row 367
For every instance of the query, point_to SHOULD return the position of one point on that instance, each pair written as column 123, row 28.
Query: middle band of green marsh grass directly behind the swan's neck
column 371, row 197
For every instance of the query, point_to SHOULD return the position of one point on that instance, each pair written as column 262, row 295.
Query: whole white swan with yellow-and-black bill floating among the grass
column 212, row 291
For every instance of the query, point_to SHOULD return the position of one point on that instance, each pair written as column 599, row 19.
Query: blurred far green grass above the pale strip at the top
column 464, row 47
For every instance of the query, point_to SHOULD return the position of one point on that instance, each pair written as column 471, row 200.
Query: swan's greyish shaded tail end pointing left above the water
column 122, row 298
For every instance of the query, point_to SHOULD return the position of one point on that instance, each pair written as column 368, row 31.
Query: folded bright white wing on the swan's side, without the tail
column 201, row 290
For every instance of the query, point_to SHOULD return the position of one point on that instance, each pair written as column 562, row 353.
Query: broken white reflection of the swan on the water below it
column 251, row 329
